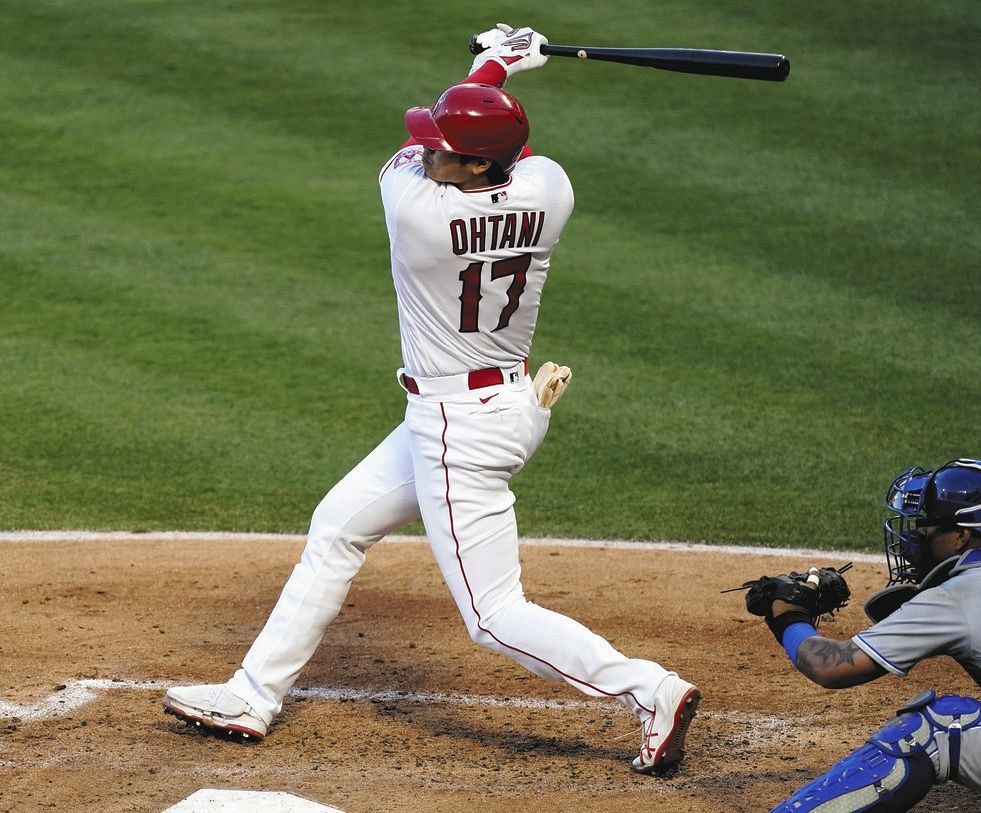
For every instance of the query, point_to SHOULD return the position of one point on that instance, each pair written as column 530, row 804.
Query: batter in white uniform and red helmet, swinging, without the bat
column 472, row 218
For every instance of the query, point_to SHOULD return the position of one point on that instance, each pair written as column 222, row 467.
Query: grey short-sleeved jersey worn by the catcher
column 942, row 620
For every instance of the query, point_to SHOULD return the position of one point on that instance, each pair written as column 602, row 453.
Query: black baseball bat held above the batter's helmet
column 737, row 64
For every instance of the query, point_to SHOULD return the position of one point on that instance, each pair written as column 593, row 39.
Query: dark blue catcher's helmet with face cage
column 946, row 499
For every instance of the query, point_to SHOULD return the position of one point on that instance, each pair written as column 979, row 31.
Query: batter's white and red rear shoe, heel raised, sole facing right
column 662, row 746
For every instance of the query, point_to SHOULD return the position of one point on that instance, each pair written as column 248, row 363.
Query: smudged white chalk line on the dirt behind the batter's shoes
column 79, row 693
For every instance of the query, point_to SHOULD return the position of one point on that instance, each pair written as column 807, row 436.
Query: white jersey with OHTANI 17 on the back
column 469, row 266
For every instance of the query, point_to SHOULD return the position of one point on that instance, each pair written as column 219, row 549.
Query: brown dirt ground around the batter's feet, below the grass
column 399, row 710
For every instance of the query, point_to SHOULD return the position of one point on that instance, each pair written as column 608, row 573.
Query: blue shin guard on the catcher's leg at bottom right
column 898, row 764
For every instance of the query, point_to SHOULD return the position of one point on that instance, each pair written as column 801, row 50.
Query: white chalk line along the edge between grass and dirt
column 809, row 554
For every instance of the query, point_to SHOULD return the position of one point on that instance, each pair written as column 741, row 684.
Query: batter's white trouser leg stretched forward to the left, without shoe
column 376, row 497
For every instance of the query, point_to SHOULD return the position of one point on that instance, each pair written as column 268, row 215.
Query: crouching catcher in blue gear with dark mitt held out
column 931, row 606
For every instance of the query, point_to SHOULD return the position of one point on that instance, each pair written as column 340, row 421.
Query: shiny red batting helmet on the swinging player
column 480, row 120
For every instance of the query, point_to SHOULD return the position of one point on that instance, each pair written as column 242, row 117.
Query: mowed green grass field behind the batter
column 769, row 293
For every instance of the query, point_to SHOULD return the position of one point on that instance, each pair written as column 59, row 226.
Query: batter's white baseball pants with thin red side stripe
column 449, row 462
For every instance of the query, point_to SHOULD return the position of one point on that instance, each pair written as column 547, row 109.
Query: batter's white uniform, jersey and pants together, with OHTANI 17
column 469, row 267
